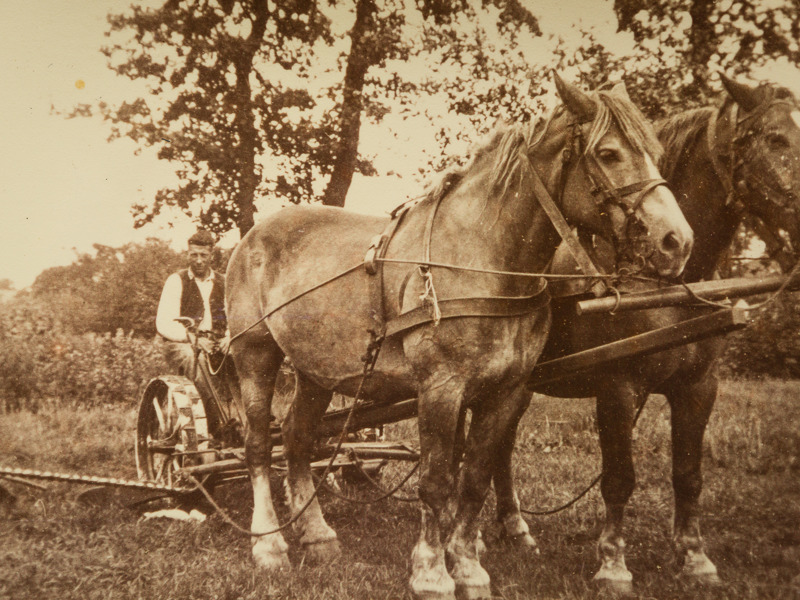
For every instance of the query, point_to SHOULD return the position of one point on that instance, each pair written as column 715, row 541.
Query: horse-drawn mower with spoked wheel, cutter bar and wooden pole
column 174, row 446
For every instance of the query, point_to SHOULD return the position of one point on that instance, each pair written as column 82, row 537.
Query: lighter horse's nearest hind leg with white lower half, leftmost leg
column 257, row 360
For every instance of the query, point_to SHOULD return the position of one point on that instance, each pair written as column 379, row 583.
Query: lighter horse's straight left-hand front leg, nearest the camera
column 440, row 400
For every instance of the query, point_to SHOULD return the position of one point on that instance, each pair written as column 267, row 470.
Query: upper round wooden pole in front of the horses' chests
column 718, row 289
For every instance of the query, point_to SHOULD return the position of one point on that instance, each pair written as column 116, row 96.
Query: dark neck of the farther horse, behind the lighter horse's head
column 703, row 199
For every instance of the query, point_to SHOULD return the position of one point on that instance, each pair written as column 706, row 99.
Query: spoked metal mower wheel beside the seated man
column 171, row 430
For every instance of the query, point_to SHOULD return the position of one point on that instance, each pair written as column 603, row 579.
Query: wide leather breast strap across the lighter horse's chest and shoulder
column 492, row 306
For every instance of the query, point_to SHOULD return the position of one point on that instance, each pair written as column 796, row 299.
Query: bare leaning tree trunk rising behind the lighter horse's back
column 358, row 62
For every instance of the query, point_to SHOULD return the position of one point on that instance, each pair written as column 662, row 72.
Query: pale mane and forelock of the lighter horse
column 506, row 141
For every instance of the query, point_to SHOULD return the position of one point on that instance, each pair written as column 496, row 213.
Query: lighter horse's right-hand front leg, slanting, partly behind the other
column 492, row 422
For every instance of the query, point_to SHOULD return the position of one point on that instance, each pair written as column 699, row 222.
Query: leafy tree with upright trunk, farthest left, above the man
column 218, row 102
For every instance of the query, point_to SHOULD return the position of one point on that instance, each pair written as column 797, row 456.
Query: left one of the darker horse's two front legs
column 615, row 412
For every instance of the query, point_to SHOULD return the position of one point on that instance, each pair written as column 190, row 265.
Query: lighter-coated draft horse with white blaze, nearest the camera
column 444, row 302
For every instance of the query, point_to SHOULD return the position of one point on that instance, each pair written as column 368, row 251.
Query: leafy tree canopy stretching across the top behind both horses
column 257, row 101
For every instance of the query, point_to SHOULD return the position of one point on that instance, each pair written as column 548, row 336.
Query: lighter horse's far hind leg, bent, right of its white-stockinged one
column 299, row 427
